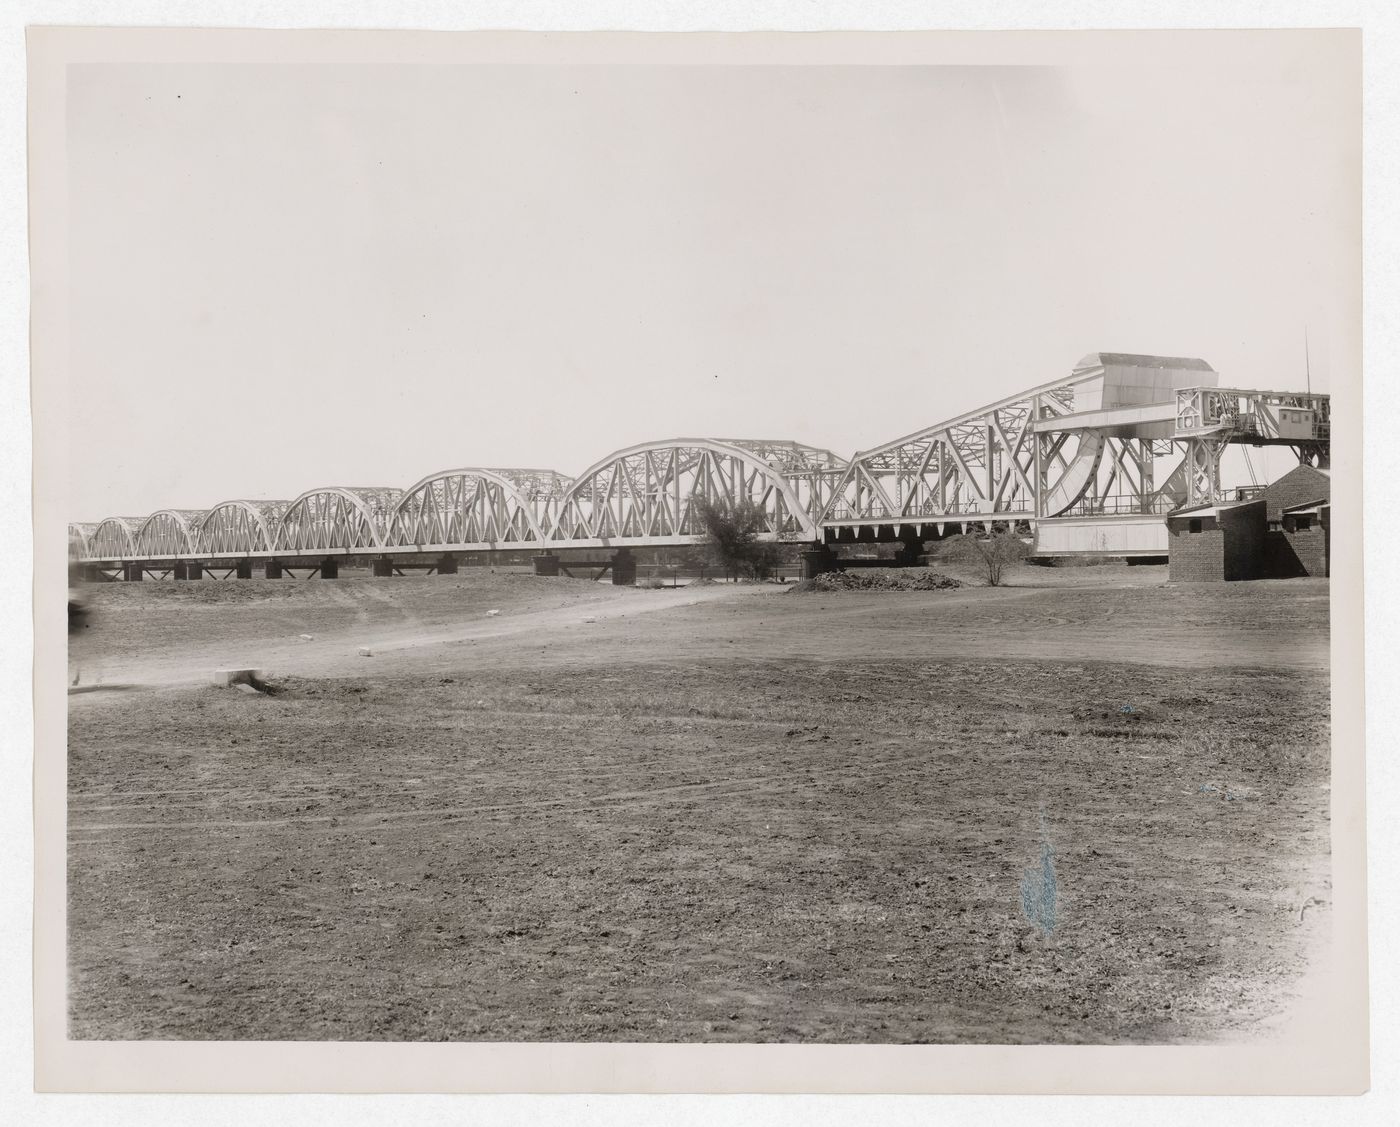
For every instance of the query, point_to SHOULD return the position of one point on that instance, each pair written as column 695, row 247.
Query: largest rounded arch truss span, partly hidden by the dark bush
column 649, row 495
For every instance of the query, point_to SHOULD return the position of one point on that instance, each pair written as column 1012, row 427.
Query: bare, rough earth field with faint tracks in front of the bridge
column 730, row 814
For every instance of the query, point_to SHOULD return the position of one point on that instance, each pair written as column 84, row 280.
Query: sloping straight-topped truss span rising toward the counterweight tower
column 982, row 464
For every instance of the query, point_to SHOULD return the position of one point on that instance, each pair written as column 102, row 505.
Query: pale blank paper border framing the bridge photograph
column 1325, row 1053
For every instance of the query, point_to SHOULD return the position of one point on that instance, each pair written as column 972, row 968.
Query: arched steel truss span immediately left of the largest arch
column 478, row 510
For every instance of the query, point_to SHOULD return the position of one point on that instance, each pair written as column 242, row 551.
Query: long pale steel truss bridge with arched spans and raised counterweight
column 1088, row 464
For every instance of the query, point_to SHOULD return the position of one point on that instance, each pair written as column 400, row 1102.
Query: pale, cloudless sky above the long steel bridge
column 289, row 276
